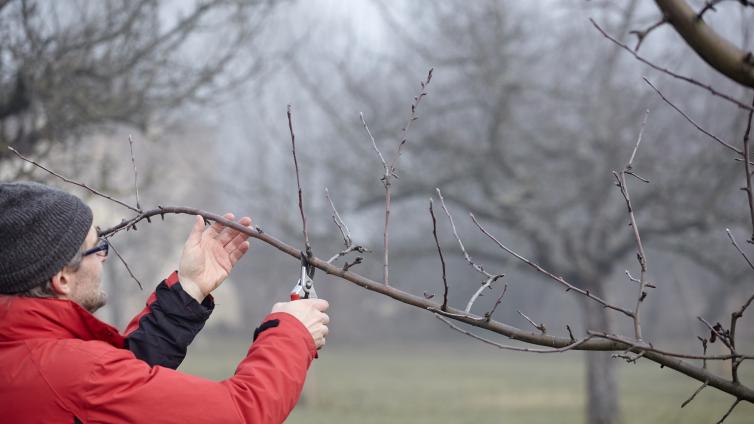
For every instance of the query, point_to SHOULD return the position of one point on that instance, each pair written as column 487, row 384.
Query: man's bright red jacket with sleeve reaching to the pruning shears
column 59, row 363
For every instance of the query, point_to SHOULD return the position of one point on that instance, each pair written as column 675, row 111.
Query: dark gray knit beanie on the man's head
column 41, row 230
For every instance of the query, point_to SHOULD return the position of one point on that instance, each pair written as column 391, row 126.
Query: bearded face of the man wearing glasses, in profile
column 86, row 281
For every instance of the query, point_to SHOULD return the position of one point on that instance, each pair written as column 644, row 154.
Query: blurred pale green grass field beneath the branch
column 475, row 385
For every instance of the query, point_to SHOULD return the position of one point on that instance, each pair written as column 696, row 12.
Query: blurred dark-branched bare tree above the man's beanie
column 72, row 68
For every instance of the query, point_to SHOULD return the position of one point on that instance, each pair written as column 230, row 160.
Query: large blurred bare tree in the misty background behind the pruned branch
column 524, row 131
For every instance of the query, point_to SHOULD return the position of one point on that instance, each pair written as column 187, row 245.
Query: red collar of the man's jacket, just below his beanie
column 23, row 318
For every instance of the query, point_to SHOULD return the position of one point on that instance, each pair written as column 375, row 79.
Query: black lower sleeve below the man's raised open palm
column 160, row 334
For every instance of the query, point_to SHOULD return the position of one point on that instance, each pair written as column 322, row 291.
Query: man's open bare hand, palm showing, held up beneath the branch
column 209, row 254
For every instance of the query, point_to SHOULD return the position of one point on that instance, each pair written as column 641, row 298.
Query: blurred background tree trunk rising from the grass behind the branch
column 602, row 391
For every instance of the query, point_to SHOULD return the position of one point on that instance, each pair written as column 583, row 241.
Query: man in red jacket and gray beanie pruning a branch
column 59, row 363
